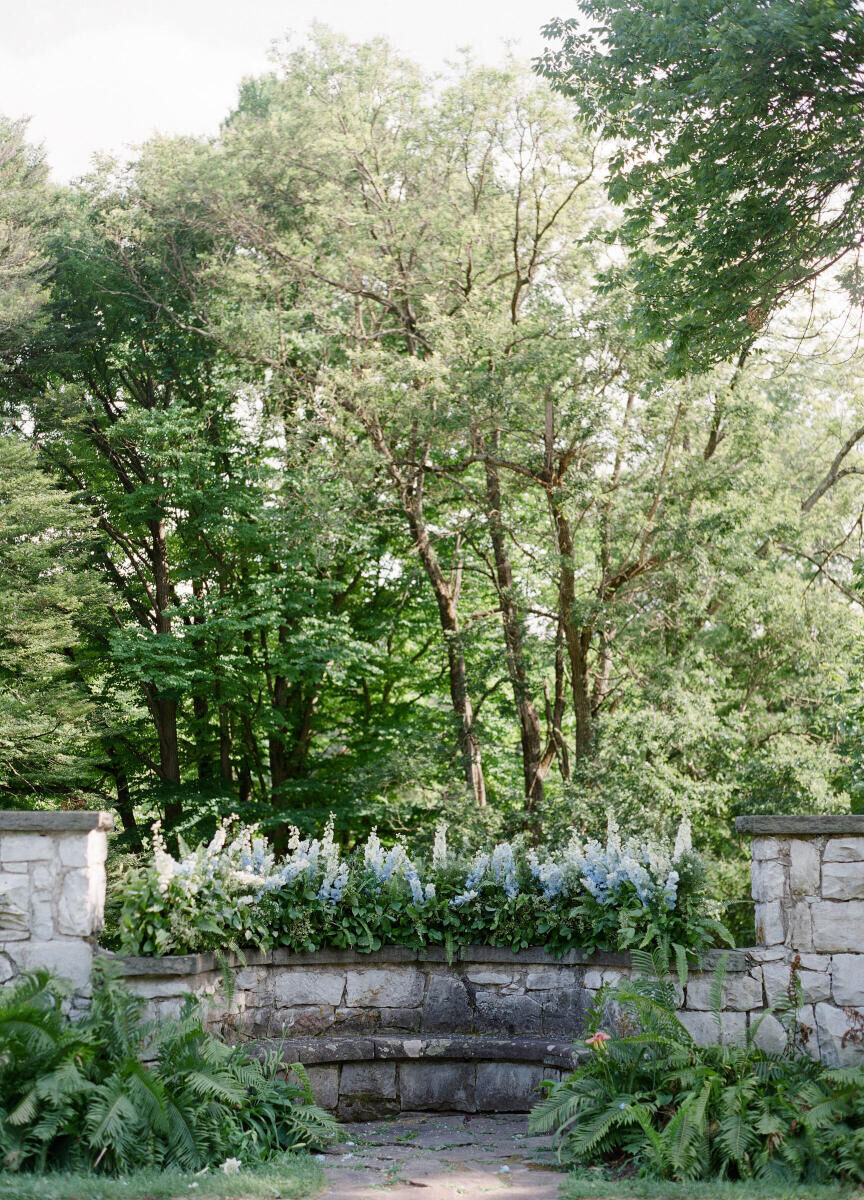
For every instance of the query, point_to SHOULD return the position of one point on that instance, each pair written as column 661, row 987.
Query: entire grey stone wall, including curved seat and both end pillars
column 409, row 1030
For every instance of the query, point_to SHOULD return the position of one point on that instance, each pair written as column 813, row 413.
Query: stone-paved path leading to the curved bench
column 442, row 1157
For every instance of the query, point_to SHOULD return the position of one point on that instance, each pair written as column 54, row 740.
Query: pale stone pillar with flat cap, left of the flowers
column 52, row 892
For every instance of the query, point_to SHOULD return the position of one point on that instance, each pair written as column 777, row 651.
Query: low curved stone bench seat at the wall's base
column 363, row 1078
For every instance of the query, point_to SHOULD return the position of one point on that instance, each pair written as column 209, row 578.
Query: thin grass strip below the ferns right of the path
column 589, row 1186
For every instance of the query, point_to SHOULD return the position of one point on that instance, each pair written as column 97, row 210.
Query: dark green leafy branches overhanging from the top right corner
column 739, row 160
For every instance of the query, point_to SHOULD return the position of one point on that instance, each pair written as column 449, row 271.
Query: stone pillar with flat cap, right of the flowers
column 808, row 883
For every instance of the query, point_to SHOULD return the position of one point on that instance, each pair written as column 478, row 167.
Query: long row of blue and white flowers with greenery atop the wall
column 236, row 893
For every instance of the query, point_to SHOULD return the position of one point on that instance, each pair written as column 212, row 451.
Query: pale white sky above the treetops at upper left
column 104, row 75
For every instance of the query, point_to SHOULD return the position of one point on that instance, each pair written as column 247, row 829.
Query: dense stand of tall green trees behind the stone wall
column 347, row 467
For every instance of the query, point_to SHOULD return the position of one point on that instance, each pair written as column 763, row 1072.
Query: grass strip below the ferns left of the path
column 290, row 1179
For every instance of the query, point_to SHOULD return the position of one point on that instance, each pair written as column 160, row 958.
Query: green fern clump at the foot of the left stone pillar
column 116, row 1094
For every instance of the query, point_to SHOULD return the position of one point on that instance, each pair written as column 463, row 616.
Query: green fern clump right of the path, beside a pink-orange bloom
column 650, row 1099
